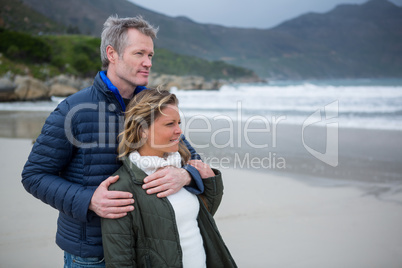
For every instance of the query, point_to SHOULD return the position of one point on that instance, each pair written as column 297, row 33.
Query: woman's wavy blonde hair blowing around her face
column 140, row 114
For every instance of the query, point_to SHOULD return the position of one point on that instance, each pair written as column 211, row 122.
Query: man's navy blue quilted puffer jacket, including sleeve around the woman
column 75, row 152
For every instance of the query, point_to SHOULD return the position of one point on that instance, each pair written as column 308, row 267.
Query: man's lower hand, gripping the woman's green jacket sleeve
column 111, row 204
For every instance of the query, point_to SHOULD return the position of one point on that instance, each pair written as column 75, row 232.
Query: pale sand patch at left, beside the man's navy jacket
column 28, row 226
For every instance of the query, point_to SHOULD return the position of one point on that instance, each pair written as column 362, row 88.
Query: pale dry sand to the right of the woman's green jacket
column 275, row 221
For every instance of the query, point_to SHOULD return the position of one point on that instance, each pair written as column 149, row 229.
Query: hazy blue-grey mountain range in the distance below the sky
column 350, row 41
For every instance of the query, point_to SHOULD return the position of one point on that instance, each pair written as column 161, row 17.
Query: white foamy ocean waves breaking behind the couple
column 364, row 103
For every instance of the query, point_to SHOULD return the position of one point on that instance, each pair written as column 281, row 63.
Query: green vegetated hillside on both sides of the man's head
column 48, row 55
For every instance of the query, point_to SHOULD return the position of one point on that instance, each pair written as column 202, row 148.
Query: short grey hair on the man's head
column 115, row 34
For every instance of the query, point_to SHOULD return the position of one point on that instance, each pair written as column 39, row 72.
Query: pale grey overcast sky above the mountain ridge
column 245, row 13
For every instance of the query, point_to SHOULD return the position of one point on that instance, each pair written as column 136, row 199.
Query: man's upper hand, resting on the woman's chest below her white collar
column 166, row 181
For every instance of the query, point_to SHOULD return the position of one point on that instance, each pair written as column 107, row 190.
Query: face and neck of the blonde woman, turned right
column 163, row 136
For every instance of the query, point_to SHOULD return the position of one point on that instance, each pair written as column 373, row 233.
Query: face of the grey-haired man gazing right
column 133, row 65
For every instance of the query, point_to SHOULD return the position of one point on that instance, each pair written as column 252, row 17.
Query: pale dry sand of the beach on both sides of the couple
column 267, row 219
